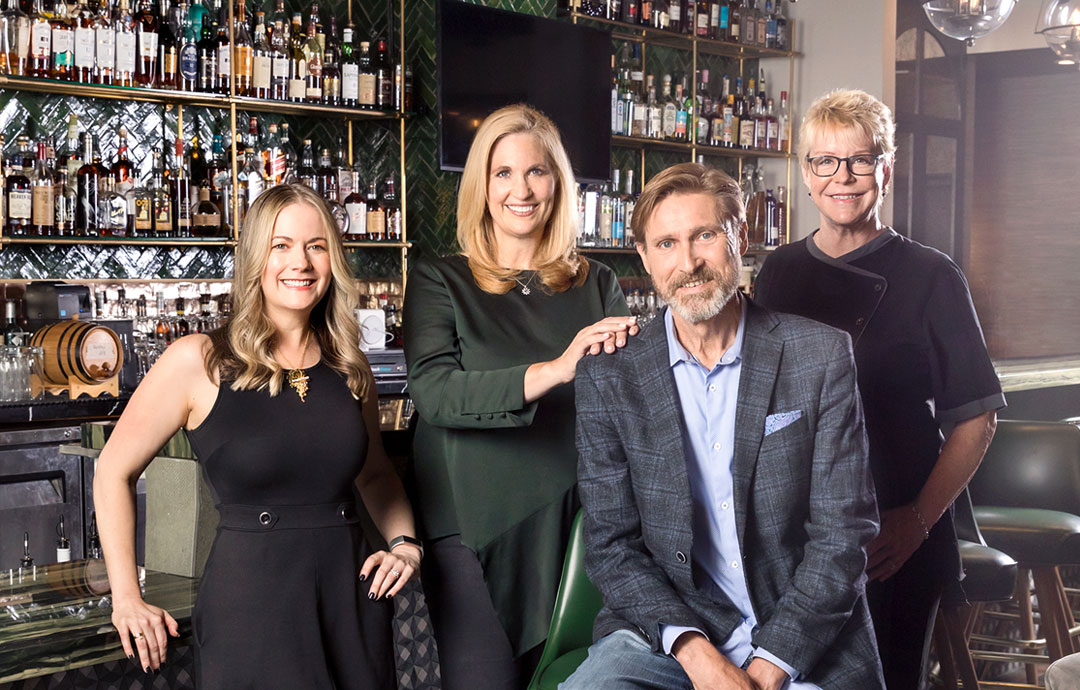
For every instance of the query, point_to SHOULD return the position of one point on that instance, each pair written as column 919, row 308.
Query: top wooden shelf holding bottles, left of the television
column 187, row 99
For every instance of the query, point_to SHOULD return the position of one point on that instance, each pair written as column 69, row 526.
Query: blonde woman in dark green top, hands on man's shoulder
column 493, row 337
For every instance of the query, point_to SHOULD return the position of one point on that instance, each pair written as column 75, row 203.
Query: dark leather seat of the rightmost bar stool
column 1034, row 537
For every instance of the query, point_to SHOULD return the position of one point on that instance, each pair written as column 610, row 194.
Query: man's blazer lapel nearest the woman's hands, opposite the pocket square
column 658, row 385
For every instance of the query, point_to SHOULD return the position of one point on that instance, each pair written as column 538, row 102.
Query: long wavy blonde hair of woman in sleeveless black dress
column 242, row 350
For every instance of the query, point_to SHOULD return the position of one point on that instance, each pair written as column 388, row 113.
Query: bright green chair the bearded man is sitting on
column 577, row 605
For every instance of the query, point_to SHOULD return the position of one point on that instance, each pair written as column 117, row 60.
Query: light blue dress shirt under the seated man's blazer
column 709, row 400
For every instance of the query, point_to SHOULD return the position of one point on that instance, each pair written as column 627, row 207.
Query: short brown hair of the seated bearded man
column 692, row 179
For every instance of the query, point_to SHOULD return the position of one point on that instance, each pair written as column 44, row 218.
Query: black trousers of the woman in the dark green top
column 475, row 652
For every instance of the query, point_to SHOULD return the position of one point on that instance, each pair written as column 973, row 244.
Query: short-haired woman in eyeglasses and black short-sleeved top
column 928, row 387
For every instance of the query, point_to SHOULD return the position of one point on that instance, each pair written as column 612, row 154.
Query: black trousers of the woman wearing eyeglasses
column 903, row 608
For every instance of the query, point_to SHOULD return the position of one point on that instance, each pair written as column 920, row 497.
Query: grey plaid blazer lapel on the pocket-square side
column 761, row 364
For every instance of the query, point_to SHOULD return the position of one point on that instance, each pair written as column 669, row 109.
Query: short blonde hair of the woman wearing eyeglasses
column 849, row 110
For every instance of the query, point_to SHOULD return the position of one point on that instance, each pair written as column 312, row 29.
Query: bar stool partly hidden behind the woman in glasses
column 990, row 576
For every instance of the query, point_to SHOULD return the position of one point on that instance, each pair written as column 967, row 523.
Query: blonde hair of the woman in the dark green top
column 558, row 263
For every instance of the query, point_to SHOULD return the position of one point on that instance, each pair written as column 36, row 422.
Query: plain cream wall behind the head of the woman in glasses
column 845, row 44
